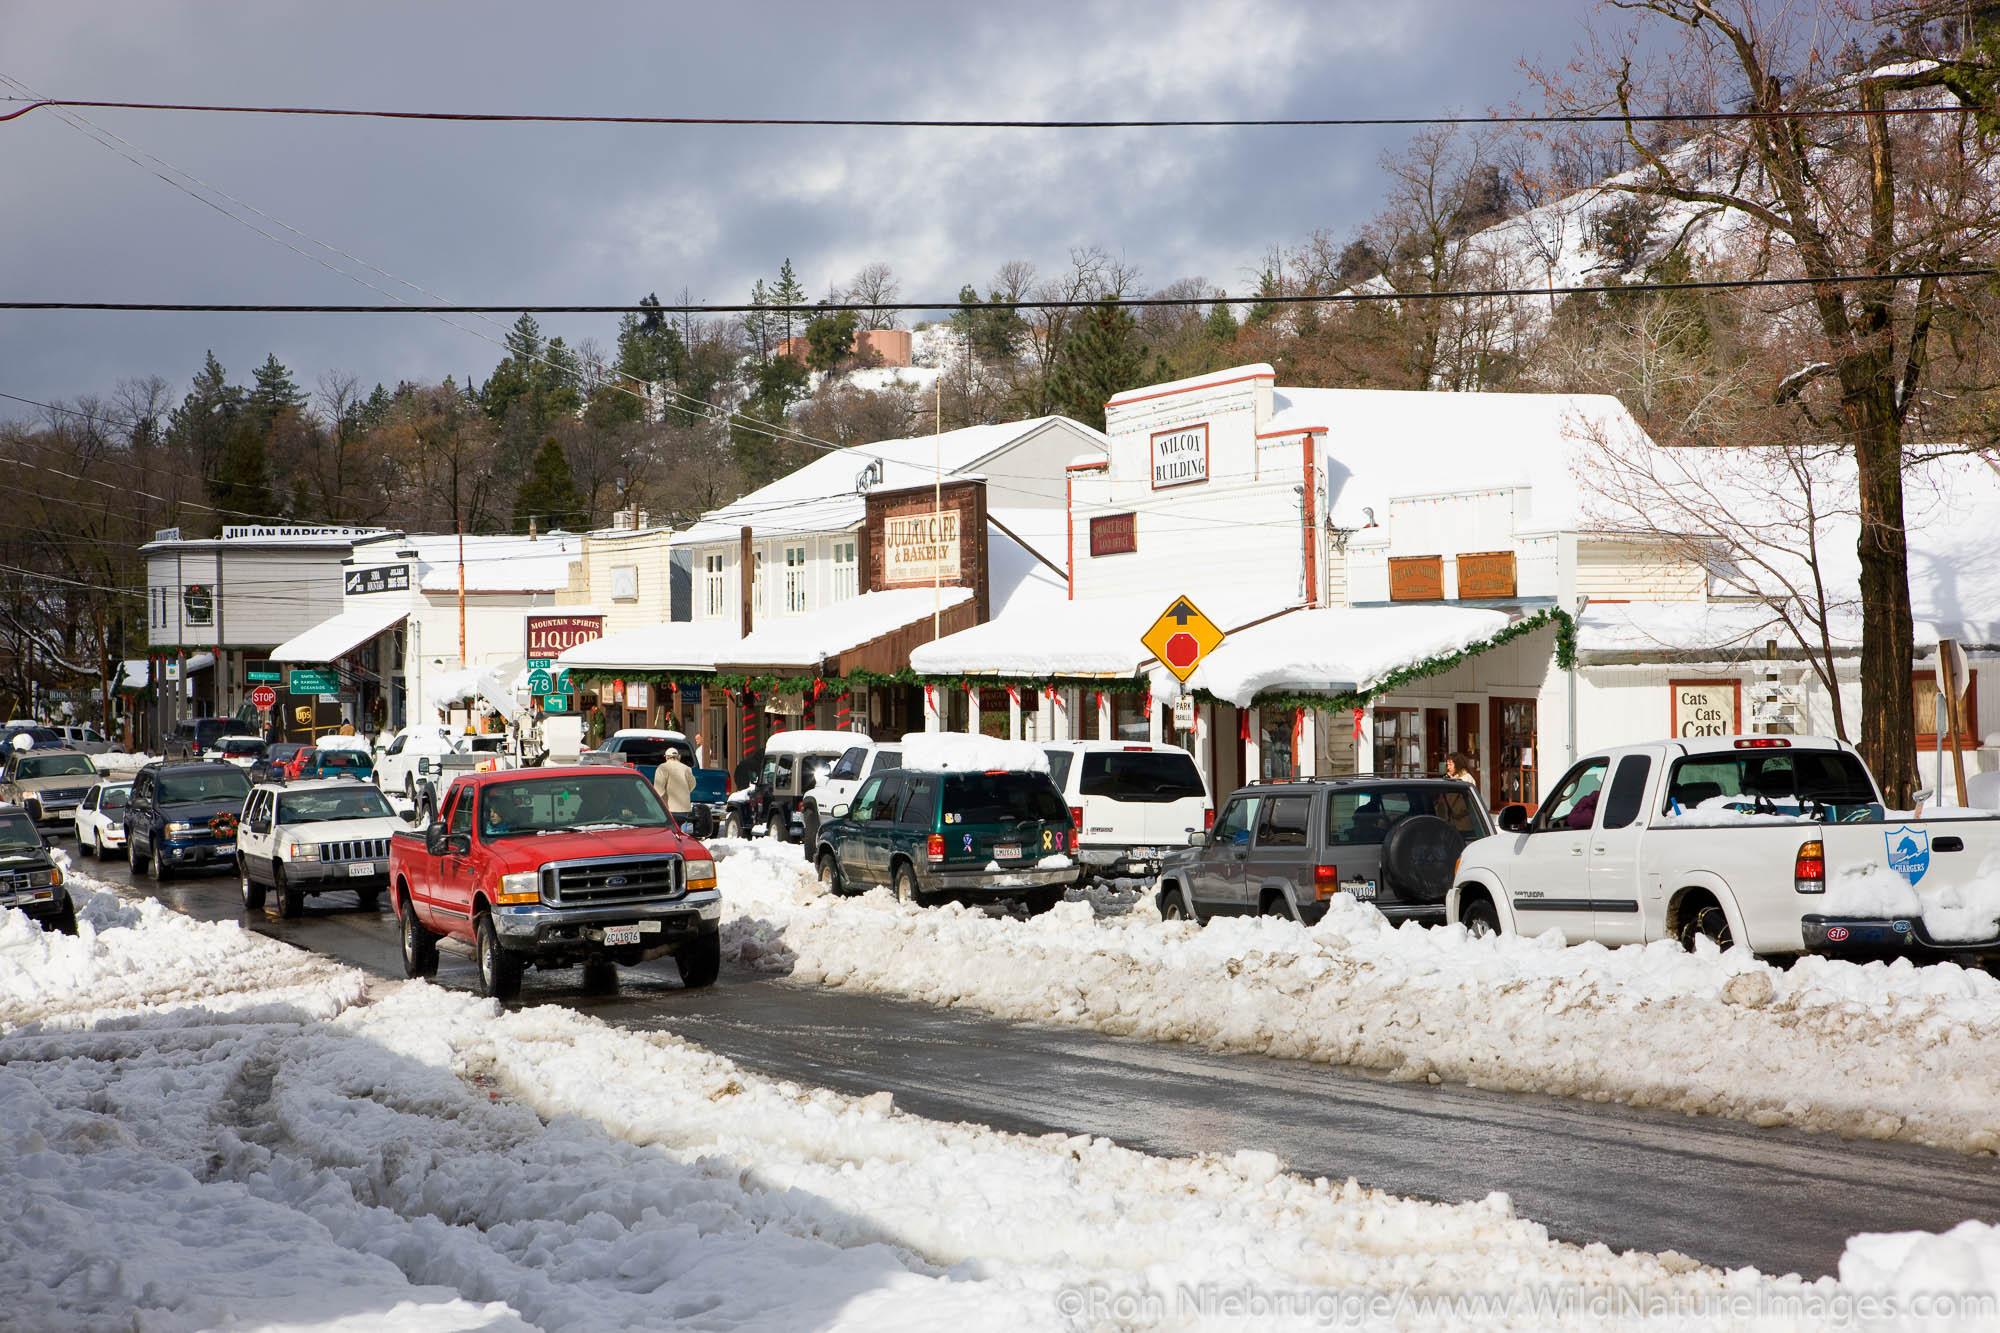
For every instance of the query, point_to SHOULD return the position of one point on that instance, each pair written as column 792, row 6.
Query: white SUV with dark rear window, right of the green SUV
column 1131, row 802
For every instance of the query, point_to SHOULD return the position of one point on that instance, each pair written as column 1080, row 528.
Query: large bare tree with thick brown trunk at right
column 1825, row 199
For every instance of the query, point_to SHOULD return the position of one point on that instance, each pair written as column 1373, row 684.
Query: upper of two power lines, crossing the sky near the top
column 887, row 123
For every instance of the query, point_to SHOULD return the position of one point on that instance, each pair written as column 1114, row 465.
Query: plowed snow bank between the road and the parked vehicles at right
column 1885, row 1052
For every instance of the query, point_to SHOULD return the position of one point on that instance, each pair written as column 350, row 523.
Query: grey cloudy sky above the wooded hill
column 607, row 213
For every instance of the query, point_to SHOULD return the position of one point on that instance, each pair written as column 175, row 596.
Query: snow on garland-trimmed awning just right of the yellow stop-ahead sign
column 1339, row 649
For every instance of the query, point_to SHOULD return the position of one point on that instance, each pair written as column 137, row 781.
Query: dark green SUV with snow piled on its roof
column 933, row 836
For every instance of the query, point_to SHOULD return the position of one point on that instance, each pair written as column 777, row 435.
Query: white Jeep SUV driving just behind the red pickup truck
column 301, row 840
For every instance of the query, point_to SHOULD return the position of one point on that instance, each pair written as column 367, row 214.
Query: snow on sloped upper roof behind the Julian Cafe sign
column 825, row 497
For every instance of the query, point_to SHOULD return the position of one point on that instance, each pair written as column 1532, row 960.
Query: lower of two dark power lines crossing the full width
column 1347, row 297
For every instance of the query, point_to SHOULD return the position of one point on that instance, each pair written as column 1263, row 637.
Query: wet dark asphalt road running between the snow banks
column 1635, row 1180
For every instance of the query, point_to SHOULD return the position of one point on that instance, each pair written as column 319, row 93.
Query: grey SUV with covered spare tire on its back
column 1283, row 850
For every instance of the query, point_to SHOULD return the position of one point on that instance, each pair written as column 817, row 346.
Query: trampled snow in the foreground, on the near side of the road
column 203, row 1128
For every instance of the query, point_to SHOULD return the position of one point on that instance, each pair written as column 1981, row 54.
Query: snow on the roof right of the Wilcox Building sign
column 1385, row 443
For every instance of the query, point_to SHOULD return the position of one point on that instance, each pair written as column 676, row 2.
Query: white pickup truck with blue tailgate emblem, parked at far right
column 1779, row 844
